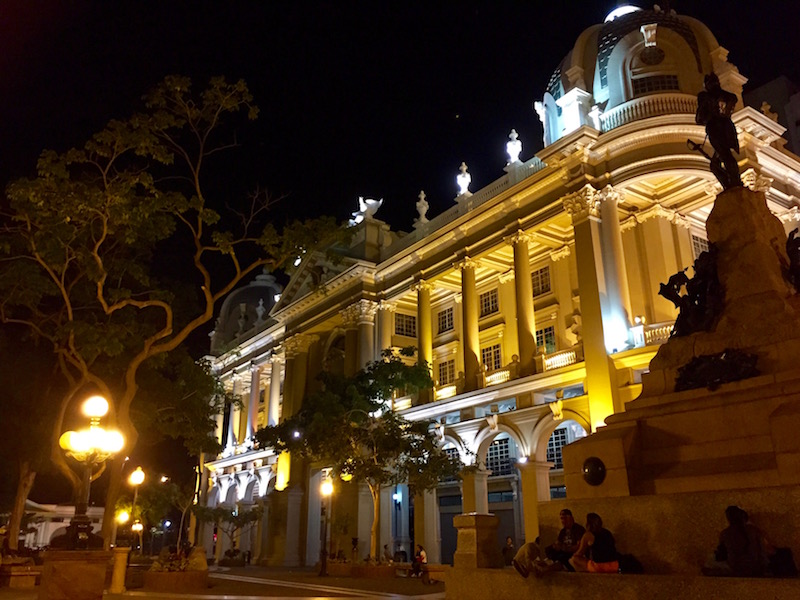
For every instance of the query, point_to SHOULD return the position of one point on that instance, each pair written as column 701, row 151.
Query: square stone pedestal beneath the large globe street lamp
column 74, row 574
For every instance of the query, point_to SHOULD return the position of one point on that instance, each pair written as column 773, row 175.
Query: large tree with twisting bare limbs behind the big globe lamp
column 86, row 241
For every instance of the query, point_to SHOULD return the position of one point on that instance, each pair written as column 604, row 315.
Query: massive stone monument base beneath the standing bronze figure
column 718, row 419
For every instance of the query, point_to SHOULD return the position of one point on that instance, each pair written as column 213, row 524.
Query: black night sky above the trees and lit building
column 379, row 99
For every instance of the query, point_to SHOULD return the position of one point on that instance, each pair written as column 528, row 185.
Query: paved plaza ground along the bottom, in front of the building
column 258, row 582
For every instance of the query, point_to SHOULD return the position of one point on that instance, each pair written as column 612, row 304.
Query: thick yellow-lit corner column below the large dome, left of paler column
column 583, row 206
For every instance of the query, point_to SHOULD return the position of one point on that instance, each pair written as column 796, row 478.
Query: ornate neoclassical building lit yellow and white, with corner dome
column 534, row 300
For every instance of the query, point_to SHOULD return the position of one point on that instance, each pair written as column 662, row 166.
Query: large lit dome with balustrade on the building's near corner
column 623, row 63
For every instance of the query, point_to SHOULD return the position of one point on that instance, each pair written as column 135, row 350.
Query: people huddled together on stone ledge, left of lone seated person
column 589, row 549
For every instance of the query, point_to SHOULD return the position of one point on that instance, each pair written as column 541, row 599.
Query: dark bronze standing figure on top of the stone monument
column 714, row 109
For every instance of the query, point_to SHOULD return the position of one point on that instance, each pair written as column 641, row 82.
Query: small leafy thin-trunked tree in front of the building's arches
column 349, row 427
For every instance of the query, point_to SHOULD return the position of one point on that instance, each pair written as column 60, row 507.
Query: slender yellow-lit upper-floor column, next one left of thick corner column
column 523, row 291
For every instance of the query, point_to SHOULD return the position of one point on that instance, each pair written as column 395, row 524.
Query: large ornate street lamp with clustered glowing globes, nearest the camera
column 90, row 447
